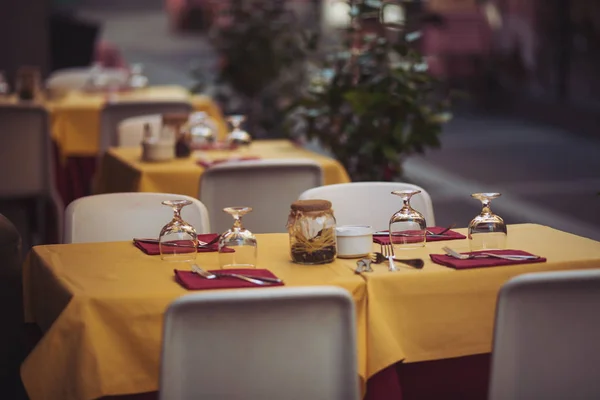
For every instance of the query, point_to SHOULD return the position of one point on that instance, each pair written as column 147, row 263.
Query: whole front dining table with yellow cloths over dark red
column 100, row 307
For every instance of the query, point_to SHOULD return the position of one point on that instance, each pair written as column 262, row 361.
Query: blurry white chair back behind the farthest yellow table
column 76, row 78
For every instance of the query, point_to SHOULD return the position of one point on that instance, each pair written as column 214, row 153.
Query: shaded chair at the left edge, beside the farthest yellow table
column 27, row 163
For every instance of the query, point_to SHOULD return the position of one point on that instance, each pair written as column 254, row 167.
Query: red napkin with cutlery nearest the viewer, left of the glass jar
column 193, row 281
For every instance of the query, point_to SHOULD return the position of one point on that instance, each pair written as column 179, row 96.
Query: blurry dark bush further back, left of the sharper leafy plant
column 262, row 49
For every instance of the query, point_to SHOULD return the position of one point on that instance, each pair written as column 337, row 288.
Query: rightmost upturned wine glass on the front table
column 487, row 230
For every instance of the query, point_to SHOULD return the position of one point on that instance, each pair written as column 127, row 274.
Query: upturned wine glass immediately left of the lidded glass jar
column 237, row 246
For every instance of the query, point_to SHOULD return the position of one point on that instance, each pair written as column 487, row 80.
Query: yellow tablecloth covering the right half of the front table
column 439, row 312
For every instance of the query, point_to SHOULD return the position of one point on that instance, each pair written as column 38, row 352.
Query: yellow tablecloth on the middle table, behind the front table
column 123, row 171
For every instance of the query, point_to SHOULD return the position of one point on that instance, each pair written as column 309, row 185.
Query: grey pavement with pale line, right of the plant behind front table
column 546, row 175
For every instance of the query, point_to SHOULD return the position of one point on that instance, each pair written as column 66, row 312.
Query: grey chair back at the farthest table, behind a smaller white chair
column 113, row 113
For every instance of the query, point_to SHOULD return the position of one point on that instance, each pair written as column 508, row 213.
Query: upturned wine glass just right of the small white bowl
column 407, row 226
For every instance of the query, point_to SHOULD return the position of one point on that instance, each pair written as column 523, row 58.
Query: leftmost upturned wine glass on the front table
column 178, row 240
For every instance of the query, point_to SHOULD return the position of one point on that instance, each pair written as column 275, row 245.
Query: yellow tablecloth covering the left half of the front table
column 101, row 307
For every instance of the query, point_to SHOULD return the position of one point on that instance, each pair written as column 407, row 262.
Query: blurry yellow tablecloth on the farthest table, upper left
column 75, row 117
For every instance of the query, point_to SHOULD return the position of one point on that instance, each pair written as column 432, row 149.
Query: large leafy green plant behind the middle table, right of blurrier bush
column 373, row 103
